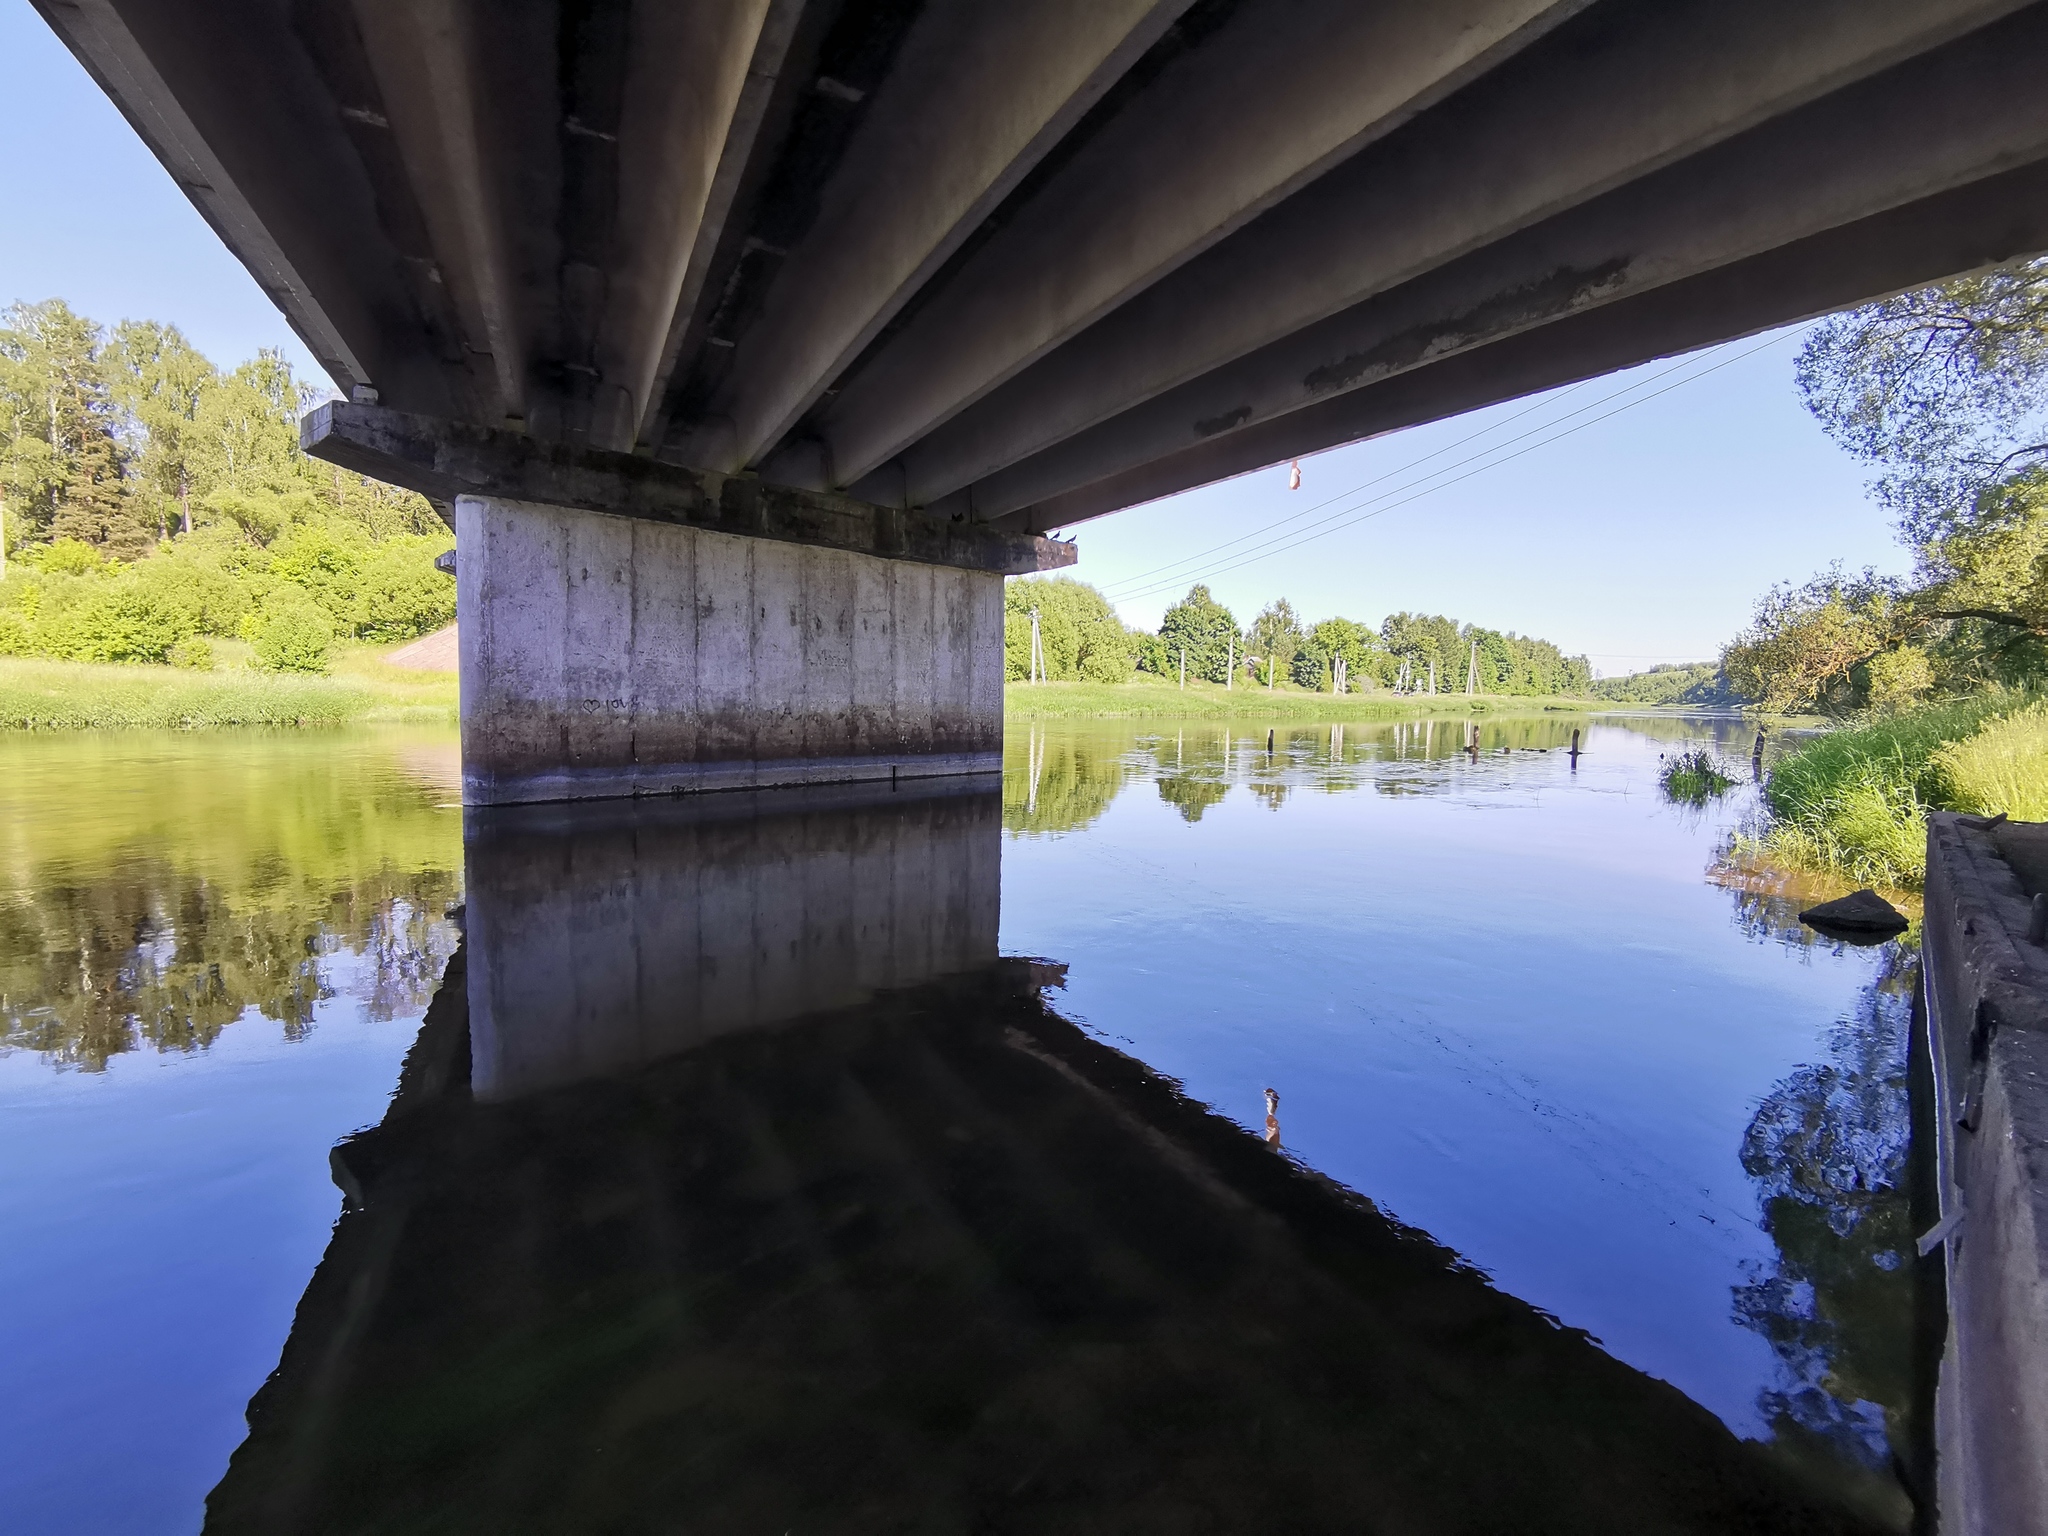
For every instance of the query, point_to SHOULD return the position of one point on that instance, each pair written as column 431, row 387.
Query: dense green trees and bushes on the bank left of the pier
column 153, row 503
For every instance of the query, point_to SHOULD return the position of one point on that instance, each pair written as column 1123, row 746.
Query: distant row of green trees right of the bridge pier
column 1084, row 640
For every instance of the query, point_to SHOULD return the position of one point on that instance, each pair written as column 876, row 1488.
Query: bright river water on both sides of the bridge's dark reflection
column 1496, row 996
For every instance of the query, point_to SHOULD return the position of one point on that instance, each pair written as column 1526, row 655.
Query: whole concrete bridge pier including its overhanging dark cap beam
column 632, row 628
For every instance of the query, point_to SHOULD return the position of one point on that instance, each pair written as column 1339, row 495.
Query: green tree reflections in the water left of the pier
column 153, row 894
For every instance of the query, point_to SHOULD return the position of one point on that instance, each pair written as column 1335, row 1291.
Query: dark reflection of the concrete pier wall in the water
column 626, row 933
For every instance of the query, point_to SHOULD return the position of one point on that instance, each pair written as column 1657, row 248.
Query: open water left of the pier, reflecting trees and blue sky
column 165, row 1189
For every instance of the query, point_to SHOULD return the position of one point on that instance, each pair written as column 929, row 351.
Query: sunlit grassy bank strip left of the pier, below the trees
column 85, row 697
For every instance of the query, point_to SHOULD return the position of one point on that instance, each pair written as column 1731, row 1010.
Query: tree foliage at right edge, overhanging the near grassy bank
column 1945, row 392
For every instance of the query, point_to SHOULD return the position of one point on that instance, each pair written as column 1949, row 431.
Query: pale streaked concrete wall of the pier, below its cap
column 611, row 656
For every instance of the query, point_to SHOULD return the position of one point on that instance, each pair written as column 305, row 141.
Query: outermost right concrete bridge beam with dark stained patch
column 1926, row 128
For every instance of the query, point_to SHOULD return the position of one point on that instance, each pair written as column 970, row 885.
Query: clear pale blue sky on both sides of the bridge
column 1644, row 536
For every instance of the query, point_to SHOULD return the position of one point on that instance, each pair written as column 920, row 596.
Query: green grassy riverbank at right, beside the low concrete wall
column 1857, row 802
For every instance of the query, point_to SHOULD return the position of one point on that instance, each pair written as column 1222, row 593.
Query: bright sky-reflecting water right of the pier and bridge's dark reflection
column 1502, row 1000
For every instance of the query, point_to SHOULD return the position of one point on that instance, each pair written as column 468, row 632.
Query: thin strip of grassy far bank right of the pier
column 1148, row 697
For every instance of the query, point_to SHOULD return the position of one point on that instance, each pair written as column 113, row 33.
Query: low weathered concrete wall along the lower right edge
column 1988, row 1002
